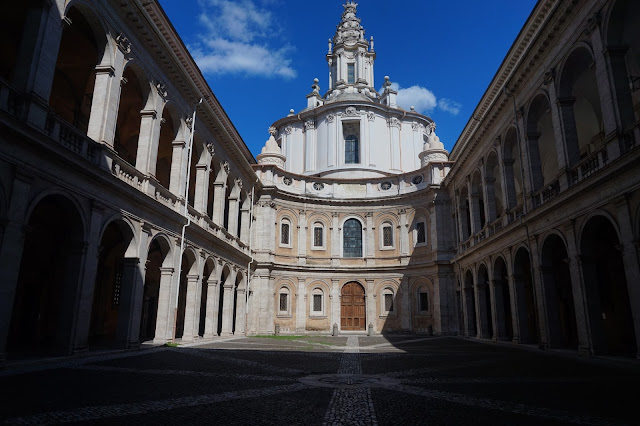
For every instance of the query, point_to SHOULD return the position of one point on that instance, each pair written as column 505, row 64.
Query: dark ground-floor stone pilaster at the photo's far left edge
column 11, row 251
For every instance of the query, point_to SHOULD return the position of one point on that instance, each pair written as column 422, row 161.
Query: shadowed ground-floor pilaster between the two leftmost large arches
column 87, row 284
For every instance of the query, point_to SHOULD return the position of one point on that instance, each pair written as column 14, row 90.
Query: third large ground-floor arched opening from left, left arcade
column 158, row 251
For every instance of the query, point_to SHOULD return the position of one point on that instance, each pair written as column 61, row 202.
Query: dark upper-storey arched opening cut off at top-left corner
column 12, row 27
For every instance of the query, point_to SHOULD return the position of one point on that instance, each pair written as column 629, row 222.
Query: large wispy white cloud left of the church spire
column 237, row 39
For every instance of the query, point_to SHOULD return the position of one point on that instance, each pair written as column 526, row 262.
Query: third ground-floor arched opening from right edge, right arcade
column 525, row 299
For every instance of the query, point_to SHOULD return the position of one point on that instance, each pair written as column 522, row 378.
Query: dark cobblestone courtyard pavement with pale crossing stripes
column 354, row 380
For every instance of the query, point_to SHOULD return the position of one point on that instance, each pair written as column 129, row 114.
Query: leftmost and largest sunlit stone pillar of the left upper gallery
column 106, row 100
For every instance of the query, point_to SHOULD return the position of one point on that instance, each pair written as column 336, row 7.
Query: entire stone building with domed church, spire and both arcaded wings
column 125, row 218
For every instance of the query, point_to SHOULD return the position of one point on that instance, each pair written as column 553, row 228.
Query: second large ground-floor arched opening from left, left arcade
column 106, row 294
